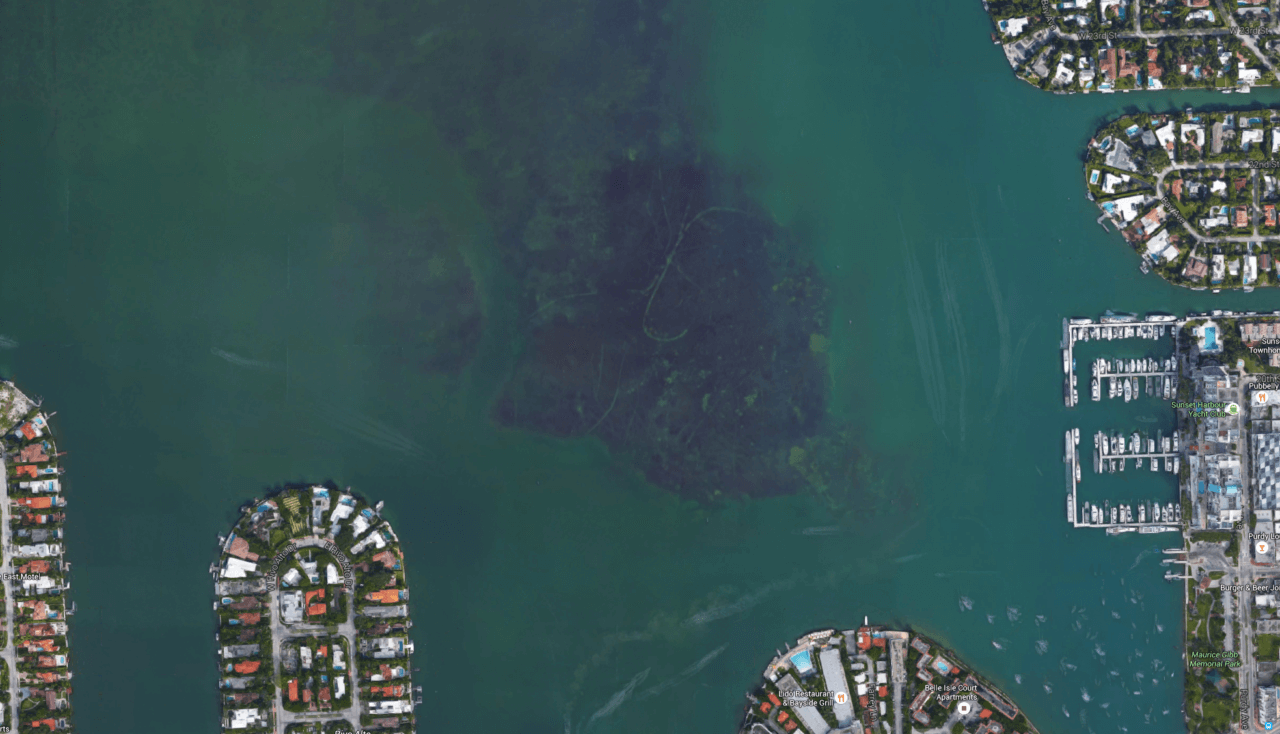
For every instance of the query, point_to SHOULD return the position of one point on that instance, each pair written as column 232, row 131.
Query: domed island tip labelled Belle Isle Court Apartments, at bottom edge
column 807, row 689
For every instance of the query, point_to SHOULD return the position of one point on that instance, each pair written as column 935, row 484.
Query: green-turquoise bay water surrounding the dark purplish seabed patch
column 181, row 291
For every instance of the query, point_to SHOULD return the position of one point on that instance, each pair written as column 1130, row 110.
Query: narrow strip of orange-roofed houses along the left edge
column 35, row 680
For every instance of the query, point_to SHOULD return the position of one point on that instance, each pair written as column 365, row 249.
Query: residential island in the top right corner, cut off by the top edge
column 1112, row 45
